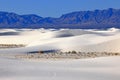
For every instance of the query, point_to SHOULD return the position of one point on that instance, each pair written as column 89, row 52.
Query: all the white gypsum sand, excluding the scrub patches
column 103, row 68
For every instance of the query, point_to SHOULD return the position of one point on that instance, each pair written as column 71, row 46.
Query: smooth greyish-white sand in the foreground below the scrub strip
column 107, row 68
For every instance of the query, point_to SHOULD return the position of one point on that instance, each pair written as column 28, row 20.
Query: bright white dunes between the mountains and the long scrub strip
column 64, row 39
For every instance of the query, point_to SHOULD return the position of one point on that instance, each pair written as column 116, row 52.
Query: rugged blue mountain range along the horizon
column 97, row 19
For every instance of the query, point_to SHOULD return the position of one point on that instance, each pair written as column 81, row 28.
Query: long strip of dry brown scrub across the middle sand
column 66, row 55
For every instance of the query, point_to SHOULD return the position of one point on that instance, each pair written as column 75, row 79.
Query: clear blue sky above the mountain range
column 55, row 8
